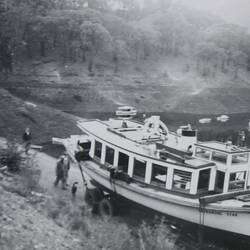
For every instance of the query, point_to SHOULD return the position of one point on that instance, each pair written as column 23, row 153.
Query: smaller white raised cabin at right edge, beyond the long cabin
column 232, row 164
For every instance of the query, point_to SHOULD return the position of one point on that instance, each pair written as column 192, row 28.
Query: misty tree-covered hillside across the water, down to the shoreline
column 93, row 59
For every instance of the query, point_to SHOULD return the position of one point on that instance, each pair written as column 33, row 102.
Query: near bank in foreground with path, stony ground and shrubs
column 37, row 216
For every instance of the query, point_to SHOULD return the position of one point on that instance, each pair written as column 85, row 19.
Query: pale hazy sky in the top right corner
column 234, row 11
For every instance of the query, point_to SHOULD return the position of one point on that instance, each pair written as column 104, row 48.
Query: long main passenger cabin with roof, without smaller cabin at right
column 149, row 162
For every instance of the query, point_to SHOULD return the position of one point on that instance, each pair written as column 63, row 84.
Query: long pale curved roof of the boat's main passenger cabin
column 136, row 139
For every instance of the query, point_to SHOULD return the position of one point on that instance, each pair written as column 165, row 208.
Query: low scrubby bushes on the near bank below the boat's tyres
column 112, row 235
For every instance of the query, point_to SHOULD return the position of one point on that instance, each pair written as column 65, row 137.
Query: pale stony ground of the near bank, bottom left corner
column 23, row 227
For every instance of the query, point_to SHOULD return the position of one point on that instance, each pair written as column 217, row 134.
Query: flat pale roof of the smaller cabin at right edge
column 222, row 147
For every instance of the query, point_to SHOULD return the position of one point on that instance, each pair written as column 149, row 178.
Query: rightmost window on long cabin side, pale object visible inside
column 182, row 180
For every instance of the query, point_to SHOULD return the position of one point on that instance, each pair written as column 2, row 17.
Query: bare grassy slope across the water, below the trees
column 151, row 87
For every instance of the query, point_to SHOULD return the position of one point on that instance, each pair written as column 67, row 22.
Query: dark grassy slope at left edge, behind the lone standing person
column 44, row 122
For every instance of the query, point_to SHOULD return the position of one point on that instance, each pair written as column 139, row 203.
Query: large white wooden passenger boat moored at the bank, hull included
column 206, row 183
